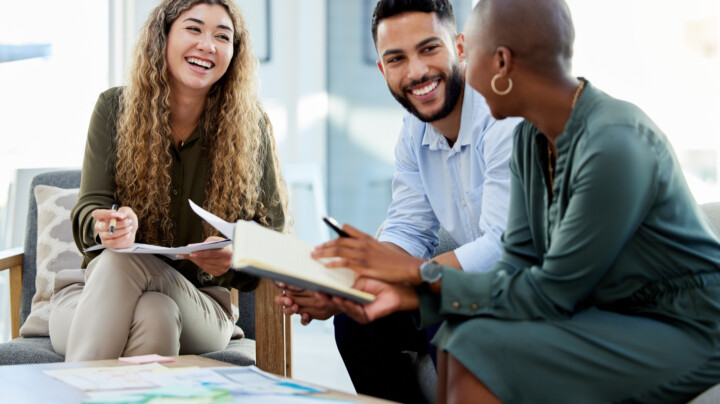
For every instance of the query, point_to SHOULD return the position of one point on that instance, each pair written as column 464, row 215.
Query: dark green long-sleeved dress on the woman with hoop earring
column 608, row 288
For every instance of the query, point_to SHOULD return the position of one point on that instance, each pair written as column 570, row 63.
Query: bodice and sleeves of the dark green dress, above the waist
column 621, row 231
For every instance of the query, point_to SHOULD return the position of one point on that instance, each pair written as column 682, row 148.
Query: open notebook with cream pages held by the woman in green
column 280, row 257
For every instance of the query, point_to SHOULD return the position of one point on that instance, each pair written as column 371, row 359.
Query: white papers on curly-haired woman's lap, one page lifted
column 224, row 227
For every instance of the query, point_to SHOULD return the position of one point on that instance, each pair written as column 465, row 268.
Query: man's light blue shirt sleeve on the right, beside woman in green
column 480, row 254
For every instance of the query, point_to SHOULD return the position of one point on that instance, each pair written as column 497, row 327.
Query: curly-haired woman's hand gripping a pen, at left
column 126, row 225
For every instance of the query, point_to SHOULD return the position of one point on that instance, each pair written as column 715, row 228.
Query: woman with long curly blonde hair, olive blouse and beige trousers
column 188, row 126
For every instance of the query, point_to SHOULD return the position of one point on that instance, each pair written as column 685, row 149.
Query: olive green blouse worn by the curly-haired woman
column 189, row 175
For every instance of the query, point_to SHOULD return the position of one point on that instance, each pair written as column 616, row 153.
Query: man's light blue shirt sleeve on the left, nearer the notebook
column 411, row 223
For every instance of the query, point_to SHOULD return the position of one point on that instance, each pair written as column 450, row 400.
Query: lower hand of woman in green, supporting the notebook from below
column 389, row 298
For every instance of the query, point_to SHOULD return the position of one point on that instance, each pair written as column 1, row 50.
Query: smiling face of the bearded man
column 420, row 64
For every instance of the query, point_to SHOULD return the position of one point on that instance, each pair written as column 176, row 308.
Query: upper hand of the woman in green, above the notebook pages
column 370, row 258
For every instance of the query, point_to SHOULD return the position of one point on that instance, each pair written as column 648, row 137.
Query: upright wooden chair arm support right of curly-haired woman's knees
column 272, row 332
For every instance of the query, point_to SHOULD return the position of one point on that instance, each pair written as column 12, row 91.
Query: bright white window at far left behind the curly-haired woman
column 53, row 65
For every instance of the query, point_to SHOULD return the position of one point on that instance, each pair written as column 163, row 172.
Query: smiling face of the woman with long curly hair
column 199, row 48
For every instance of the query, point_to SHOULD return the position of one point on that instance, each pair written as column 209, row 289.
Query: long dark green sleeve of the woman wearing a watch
column 612, row 187
